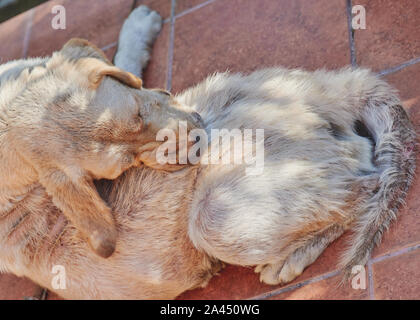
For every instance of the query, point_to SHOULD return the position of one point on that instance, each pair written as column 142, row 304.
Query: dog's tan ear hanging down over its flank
column 79, row 201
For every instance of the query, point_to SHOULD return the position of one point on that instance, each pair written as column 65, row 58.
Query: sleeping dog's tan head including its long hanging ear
column 80, row 118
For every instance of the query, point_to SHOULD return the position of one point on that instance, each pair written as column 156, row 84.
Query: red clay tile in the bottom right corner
column 398, row 277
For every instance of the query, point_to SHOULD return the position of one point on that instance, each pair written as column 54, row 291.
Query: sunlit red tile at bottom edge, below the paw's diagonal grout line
column 327, row 289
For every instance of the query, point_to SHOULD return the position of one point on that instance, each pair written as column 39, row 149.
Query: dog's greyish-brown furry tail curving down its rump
column 394, row 156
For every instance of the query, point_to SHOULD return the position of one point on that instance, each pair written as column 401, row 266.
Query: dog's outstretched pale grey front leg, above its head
column 137, row 35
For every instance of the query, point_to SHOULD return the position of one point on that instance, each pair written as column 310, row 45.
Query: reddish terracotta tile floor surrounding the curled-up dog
column 200, row 37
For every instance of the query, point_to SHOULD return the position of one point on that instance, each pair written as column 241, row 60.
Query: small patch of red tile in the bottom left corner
column 14, row 288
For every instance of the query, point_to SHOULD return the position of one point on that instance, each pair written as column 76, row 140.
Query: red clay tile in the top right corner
column 391, row 35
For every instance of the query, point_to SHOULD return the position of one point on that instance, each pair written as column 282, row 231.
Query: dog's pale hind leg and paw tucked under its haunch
column 293, row 266
